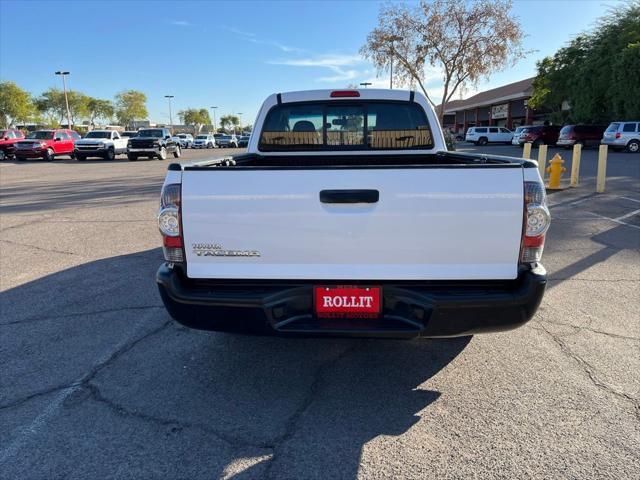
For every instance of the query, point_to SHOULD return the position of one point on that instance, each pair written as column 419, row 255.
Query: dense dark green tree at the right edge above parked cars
column 596, row 73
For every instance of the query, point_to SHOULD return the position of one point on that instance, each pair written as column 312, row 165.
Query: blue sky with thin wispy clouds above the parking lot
column 228, row 54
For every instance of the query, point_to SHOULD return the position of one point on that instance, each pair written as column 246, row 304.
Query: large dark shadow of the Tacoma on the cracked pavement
column 191, row 404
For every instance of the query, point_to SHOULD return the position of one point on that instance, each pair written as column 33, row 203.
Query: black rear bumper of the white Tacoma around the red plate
column 430, row 309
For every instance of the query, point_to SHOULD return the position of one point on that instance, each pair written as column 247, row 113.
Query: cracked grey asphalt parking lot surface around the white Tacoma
column 98, row 382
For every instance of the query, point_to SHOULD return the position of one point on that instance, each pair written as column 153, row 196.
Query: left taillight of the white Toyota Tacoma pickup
column 170, row 223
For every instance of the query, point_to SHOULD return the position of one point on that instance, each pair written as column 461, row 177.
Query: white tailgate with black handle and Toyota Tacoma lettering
column 427, row 224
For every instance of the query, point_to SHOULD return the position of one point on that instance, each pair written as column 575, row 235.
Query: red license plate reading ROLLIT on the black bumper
column 346, row 301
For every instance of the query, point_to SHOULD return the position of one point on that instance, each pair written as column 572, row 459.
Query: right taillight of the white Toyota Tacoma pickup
column 536, row 222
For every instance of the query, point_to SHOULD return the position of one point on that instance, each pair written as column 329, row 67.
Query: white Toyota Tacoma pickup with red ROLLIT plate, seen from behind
column 348, row 216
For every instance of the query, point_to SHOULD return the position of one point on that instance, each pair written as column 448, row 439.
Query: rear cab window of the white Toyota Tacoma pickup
column 346, row 126
